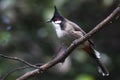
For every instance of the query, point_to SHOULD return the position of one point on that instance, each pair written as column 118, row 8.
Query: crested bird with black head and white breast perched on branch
column 68, row 31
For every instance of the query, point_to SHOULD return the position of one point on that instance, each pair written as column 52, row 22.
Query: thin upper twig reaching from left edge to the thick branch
column 18, row 59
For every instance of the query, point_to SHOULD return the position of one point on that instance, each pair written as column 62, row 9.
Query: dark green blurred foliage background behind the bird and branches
column 24, row 33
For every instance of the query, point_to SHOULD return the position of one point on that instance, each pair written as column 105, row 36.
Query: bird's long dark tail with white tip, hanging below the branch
column 101, row 67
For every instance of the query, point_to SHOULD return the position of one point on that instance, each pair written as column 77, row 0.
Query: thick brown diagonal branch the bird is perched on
column 74, row 45
